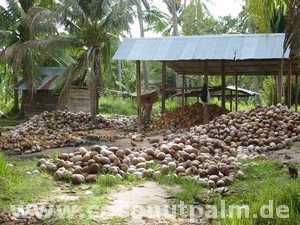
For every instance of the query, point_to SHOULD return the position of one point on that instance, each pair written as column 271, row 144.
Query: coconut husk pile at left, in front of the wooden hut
column 57, row 129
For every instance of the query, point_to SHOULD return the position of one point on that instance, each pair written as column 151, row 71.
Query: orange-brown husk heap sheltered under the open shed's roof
column 186, row 117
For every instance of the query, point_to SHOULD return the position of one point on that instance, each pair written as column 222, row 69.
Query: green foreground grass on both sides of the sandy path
column 265, row 184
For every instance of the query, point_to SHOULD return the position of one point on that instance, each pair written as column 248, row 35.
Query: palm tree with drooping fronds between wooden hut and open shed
column 92, row 26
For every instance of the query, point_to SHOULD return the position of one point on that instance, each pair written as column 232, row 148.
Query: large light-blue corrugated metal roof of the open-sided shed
column 210, row 47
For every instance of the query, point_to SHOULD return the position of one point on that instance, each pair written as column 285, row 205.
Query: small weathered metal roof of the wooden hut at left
column 50, row 75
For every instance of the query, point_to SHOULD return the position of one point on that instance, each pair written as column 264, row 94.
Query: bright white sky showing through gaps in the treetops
column 216, row 7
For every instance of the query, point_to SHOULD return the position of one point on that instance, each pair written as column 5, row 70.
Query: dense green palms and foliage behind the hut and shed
column 83, row 35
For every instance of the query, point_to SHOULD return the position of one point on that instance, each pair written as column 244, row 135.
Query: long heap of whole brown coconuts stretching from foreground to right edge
column 209, row 153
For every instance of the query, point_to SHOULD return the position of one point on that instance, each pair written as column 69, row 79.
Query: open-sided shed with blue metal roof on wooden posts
column 214, row 55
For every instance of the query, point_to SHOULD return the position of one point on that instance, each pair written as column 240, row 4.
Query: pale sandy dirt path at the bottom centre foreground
column 144, row 204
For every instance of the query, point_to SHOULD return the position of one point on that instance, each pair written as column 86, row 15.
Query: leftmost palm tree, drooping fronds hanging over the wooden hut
column 22, row 29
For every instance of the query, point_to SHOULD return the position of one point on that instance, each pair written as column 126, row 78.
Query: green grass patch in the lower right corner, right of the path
column 264, row 191
